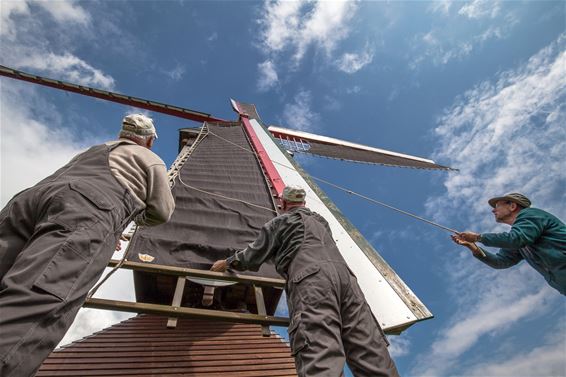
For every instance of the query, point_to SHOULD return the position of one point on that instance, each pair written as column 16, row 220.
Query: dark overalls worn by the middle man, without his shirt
column 331, row 322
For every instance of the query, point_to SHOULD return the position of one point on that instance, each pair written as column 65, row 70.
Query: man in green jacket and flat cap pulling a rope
column 535, row 236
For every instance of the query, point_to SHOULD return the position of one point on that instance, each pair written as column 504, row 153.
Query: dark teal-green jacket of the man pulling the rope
column 537, row 237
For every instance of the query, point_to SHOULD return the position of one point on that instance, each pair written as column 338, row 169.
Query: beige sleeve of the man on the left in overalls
column 159, row 203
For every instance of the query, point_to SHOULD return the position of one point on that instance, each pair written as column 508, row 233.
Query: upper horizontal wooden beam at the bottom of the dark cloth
column 181, row 271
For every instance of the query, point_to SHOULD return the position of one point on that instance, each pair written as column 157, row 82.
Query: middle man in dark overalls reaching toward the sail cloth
column 331, row 321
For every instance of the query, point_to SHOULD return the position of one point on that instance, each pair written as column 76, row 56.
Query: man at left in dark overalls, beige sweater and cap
column 57, row 237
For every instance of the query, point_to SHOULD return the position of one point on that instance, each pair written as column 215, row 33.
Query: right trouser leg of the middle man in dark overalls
column 364, row 342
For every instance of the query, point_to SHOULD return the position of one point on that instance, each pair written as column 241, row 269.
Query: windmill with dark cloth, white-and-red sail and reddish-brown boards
column 226, row 181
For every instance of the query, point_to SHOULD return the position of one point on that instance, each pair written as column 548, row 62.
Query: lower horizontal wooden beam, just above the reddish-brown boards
column 172, row 311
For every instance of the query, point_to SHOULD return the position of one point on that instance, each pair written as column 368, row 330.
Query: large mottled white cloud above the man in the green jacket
column 488, row 135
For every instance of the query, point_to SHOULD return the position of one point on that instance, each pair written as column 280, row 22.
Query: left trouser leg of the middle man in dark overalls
column 315, row 327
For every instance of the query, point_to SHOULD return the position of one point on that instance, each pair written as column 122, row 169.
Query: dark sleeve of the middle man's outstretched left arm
column 260, row 250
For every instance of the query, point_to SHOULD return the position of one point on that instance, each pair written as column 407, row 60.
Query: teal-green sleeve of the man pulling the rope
column 525, row 231
